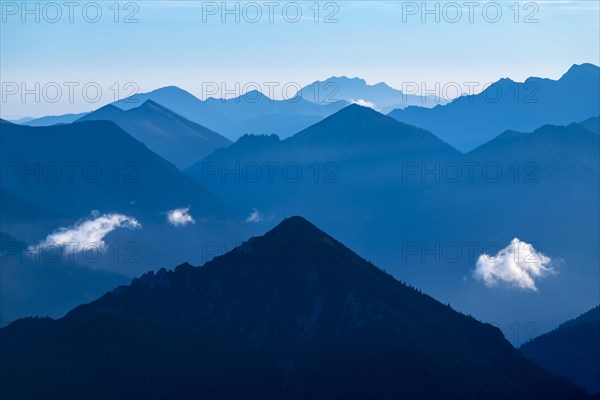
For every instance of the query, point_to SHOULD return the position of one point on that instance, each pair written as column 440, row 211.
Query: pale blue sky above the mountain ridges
column 376, row 40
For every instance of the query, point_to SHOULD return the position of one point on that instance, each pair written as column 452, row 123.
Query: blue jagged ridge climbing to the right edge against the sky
column 470, row 121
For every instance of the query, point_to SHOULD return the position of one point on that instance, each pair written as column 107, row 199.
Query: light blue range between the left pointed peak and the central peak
column 252, row 112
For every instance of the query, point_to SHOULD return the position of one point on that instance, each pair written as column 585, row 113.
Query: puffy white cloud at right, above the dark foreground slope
column 518, row 264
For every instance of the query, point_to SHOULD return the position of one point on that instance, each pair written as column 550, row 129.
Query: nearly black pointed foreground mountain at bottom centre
column 291, row 314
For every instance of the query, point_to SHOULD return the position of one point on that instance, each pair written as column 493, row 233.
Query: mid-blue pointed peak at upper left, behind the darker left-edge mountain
column 169, row 135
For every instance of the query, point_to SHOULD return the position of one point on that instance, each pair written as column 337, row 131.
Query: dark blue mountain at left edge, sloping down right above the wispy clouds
column 120, row 170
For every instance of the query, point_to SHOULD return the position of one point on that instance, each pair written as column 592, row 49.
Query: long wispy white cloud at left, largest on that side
column 75, row 238
